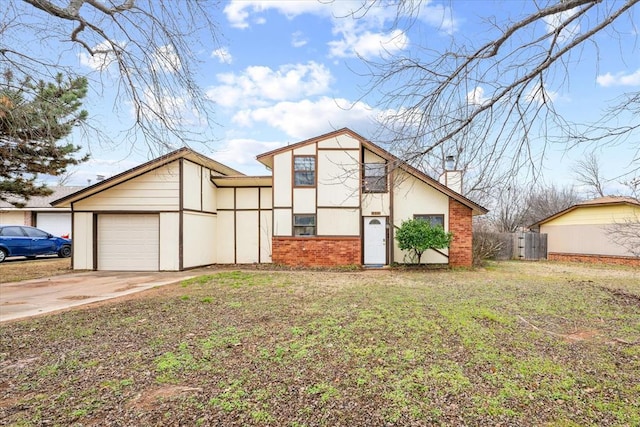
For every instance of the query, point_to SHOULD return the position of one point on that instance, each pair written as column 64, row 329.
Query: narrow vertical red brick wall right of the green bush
column 461, row 250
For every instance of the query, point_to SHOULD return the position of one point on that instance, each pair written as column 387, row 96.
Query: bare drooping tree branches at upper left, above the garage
column 146, row 46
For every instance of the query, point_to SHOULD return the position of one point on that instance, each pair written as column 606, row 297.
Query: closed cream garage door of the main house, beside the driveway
column 128, row 242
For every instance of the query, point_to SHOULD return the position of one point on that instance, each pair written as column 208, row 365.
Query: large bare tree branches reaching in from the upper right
column 492, row 101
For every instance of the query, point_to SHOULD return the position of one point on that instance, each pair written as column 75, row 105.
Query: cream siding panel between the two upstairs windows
column 338, row 178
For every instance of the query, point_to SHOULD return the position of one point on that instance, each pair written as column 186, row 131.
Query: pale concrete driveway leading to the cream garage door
column 38, row 296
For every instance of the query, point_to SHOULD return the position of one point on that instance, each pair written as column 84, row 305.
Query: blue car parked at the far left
column 20, row 240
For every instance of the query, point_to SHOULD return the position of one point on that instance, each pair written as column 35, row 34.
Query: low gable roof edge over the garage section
column 182, row 153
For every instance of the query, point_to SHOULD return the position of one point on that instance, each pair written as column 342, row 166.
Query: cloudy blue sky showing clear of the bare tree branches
column 284, row 71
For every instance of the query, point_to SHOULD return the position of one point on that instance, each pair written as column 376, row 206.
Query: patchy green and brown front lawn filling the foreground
column 512, row 344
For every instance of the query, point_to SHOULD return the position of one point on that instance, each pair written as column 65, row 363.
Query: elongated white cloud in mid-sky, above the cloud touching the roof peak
column 258, row 84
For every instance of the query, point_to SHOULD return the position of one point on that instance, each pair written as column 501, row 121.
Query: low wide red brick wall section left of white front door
column 316, row 251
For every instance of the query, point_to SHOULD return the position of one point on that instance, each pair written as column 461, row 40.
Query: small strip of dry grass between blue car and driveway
column 17, row 270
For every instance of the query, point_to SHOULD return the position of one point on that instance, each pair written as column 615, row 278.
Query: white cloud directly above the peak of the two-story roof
column 306, row 118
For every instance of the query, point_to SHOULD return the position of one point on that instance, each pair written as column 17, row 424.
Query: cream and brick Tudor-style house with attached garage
column 331, row 200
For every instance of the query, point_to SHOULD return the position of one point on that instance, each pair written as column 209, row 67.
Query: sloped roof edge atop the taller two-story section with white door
column 267, row 159
